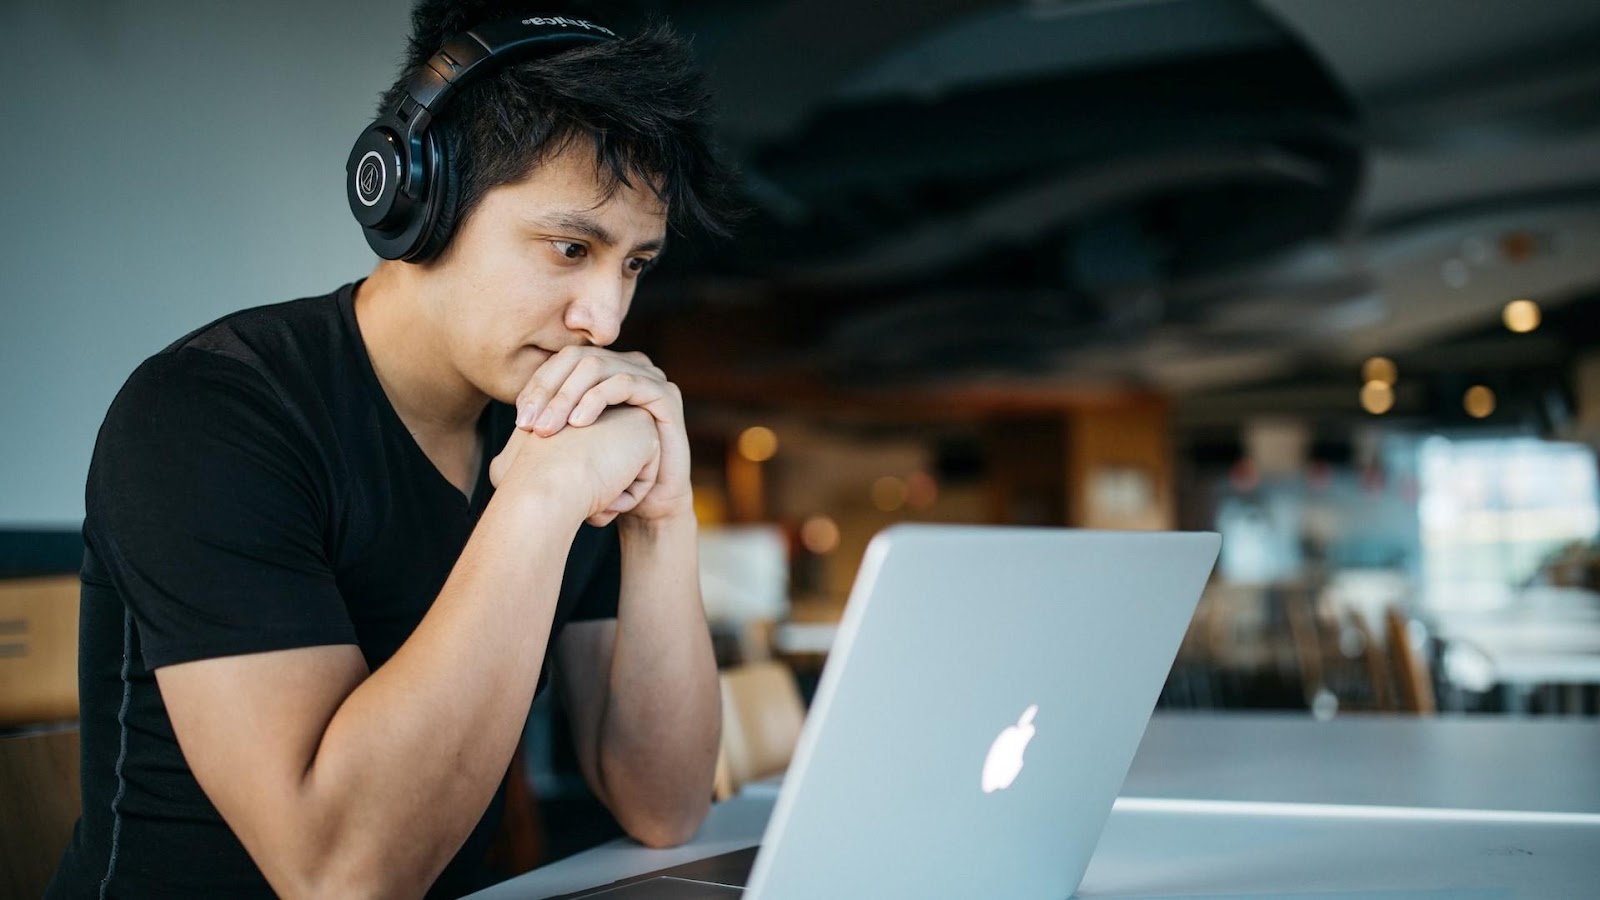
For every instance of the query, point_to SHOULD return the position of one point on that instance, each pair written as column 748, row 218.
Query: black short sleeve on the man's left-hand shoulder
column 204, row 505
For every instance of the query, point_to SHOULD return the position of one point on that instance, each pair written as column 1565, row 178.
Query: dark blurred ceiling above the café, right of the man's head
column 1217, row 199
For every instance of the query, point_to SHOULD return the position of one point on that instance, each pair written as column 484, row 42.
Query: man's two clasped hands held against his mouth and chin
column 636, row 457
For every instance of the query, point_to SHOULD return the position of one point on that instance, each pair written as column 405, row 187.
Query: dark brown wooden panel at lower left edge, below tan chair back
column 39, row 781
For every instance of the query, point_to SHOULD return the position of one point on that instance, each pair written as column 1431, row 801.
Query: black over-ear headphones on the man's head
column 399, row 180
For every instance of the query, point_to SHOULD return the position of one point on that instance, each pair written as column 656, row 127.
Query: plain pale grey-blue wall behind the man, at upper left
column 161, row 166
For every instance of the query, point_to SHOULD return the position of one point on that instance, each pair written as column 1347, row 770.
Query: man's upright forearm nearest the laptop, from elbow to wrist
column 662, row 728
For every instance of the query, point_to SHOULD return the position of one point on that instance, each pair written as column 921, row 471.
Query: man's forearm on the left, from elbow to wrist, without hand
column 414, row 757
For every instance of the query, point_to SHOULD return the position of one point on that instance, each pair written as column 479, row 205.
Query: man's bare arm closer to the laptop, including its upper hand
column 647, row 709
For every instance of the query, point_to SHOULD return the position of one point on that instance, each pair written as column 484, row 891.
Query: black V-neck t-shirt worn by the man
column 252, row 489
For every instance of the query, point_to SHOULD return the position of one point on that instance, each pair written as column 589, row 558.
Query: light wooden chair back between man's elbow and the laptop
column 761, row 725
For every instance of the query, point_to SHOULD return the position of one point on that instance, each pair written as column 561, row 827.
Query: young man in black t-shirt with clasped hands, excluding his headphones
column 334, row 547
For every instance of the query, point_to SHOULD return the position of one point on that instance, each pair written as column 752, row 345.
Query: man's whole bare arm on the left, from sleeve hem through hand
column 345, row 784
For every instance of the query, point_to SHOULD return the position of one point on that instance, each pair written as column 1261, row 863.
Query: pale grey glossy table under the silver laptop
column 1249, row 806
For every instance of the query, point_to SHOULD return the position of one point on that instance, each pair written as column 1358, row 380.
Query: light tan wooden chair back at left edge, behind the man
column 39, row 651
